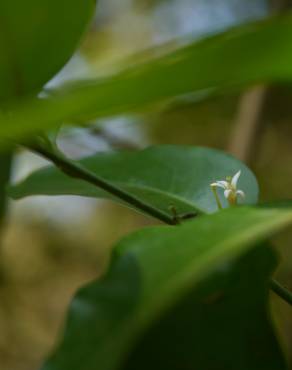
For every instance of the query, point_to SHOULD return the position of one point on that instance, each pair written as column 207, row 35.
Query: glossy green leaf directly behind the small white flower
column 162, row 176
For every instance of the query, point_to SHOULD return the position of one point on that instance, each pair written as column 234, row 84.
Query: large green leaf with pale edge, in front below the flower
column 153, row 270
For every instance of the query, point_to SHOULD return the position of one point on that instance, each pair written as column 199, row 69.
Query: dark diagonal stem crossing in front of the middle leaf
column 75, row 170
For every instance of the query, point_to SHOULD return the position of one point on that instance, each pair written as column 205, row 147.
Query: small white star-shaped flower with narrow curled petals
column 229, row 185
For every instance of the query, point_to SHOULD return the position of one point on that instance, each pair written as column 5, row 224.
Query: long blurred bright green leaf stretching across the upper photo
column 259, row 52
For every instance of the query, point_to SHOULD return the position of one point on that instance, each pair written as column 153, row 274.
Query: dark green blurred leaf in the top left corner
column 36, row 39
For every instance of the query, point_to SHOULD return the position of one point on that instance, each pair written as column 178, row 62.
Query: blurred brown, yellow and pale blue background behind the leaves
column 54, row 245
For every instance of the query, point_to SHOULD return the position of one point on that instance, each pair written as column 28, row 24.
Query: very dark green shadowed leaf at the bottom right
column 223, row 323
